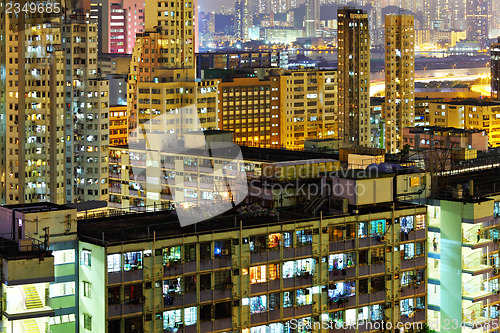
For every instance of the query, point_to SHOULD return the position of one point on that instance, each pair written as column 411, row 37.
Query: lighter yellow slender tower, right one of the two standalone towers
column 399, row 105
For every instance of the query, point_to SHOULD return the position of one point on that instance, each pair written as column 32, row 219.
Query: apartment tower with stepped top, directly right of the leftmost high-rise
column 87, row 115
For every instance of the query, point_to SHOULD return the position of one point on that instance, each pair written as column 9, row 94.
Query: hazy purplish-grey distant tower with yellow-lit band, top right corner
column 478, row 14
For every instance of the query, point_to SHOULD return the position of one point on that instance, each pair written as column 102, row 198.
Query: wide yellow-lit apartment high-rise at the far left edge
column 32, row 110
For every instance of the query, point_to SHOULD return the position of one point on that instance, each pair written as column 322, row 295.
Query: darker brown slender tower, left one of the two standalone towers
column 353, row 76
